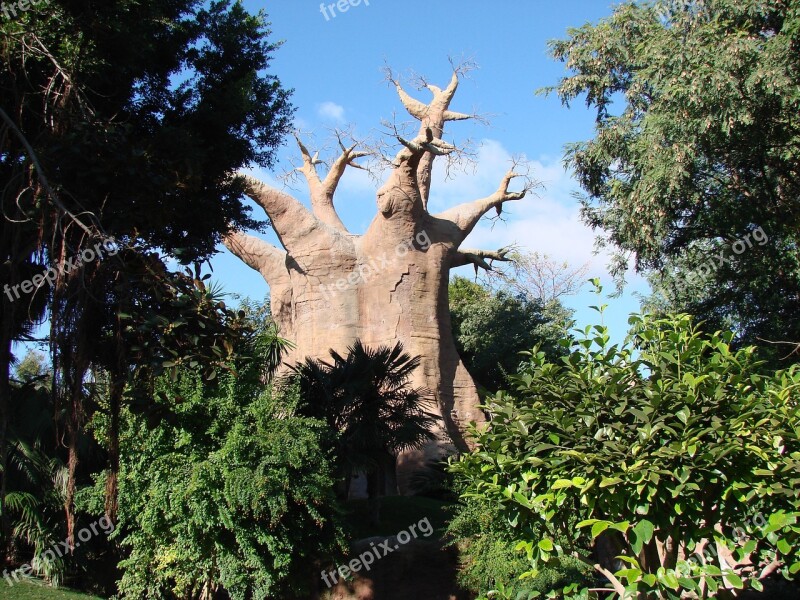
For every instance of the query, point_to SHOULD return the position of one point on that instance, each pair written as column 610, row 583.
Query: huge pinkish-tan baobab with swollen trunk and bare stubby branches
column 329, row 287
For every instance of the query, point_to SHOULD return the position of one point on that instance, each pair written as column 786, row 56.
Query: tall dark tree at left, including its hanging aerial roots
column 120, row 121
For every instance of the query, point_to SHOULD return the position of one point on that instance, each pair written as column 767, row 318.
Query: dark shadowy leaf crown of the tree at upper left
column 153, row 114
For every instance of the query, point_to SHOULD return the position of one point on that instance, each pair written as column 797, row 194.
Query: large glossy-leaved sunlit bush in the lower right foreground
column 679, row 454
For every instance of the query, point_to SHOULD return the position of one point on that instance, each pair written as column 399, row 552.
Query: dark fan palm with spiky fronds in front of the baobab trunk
column 366, row 396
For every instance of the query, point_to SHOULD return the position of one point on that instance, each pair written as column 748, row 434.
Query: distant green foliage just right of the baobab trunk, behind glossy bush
column 492, row 328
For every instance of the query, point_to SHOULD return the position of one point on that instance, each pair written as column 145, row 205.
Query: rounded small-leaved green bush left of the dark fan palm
column 235, row 492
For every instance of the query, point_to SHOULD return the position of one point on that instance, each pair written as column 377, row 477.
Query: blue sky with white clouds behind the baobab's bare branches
column 335, row 67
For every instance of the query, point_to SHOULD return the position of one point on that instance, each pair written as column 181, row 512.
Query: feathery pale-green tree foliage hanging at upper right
column 697, row 146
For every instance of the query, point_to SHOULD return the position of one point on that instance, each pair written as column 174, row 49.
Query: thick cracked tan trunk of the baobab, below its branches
column 376, row 295
